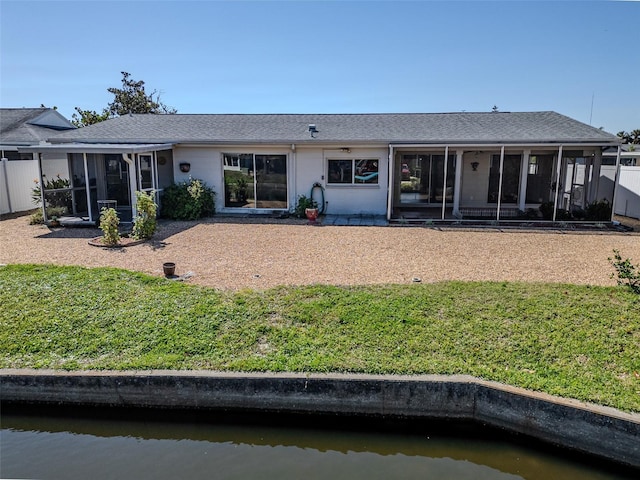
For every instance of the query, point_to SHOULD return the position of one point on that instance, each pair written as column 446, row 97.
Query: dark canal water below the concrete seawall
column 117, row 444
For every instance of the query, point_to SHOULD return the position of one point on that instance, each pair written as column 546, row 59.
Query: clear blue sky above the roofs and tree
column 328, row 57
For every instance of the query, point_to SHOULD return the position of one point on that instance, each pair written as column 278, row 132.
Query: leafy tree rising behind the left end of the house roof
column 131, row 98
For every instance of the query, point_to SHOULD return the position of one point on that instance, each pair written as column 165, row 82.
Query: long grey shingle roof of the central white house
column 423, row 128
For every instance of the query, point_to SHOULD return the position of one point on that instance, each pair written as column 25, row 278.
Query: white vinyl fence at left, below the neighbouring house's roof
column 16, row 182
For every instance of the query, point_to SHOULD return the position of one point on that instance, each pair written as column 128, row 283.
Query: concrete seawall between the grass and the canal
column 591, row 429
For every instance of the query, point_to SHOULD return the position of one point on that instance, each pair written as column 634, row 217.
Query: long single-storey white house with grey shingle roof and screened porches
column 441, row 166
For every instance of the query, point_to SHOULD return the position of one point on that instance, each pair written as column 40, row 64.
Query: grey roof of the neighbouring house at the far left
column 27, row 126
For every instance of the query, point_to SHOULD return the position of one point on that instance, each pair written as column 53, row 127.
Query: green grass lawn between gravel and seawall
column 576, row 341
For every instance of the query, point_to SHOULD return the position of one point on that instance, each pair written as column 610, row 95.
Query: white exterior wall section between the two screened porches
column 305, row 166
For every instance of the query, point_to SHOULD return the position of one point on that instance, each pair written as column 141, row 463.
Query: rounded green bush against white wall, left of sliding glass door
column 188, row 200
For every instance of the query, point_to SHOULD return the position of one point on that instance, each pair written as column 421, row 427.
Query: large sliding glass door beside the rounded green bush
column 255, row 181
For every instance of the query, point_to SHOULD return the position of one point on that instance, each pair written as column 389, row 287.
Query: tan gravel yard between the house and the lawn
column 238, row 253
